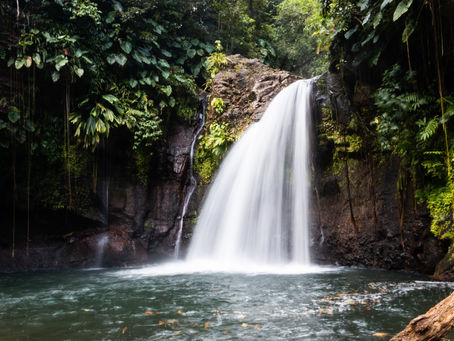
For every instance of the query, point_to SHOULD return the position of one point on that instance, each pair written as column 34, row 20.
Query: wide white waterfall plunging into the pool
column 257, row 208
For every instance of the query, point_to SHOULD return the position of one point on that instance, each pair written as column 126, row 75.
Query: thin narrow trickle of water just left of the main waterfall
column 192, row 181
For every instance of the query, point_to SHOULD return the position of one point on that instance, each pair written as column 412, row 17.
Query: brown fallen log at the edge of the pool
column 432, row 325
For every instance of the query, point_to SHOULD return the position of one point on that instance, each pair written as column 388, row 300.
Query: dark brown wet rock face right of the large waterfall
column 390, row 232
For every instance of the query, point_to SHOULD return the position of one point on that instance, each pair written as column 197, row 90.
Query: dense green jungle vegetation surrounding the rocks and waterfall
column 76, row 74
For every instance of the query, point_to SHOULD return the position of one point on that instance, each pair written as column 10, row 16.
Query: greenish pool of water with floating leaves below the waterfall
column 161, row 303
